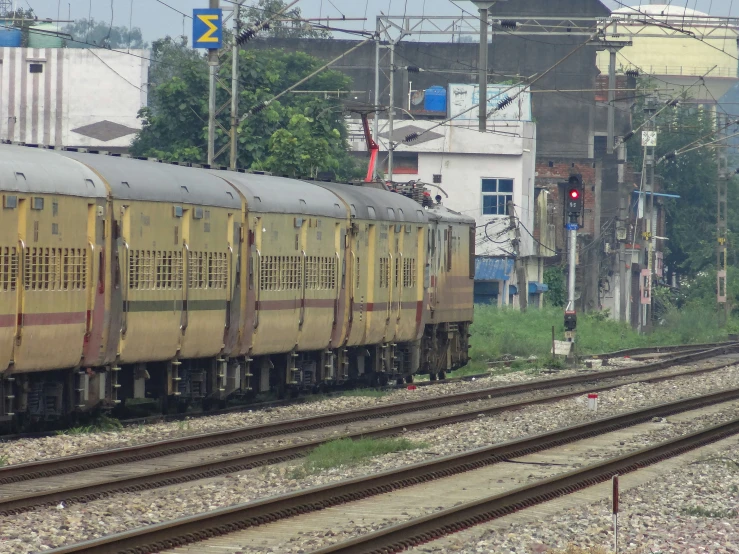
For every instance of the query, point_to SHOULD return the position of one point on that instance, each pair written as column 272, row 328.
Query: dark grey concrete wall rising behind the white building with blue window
column 565, row 121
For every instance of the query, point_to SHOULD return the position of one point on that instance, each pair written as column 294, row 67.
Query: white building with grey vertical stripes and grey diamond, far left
column 72, row 97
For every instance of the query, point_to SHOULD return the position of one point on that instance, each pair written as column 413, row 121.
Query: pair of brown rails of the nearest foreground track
column 188, row 530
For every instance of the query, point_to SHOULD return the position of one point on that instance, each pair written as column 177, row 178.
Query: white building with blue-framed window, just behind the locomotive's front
column 489, row 176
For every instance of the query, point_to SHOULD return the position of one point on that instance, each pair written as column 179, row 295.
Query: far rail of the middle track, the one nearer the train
column 71, row 464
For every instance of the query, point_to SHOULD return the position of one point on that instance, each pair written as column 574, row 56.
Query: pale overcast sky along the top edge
column 157, row 20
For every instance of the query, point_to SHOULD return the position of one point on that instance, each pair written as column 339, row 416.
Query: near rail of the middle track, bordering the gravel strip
column 122, row 479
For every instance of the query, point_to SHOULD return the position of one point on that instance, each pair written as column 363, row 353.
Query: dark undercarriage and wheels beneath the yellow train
column 30, row 399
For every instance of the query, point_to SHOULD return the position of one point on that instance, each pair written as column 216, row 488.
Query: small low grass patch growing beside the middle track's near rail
column 346, row 452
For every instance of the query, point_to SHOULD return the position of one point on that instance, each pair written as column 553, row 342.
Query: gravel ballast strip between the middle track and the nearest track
column 50, row 527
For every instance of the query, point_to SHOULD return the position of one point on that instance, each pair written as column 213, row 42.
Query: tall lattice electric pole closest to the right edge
column 721, row 223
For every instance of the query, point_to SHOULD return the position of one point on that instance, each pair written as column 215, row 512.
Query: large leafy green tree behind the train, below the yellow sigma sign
column 297, row 135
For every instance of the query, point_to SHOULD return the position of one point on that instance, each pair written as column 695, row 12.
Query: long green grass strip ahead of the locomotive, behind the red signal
column 498, row 332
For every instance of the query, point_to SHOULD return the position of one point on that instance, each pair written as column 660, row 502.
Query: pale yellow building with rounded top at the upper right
column 677, row 45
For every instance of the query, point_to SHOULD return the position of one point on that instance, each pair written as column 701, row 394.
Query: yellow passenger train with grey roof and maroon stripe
column 125, row 280
